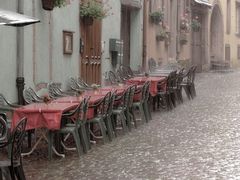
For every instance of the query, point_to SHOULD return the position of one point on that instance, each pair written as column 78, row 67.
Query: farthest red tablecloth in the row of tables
column 153, row 83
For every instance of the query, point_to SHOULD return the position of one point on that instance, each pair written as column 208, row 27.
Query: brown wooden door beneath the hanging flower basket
column 91, row 52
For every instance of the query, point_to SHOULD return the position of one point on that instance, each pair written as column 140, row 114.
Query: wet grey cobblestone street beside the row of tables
column 199, row 139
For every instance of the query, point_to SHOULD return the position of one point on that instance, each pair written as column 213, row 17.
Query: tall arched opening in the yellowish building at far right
column 216, row 35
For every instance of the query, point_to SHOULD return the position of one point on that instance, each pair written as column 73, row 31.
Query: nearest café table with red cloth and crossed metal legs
column 42, row 116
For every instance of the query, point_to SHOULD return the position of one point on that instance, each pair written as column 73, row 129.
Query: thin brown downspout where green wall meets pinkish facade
column 144, row 60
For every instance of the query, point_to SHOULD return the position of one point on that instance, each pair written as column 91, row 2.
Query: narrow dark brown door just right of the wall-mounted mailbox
column 125, row 34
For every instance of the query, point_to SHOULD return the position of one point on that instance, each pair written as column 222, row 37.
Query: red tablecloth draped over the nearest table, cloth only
column 41, row 115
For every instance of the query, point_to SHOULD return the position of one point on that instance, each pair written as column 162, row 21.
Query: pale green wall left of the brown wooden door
column 39, row 47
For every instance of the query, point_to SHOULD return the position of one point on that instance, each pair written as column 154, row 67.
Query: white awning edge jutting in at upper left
column 10, row 18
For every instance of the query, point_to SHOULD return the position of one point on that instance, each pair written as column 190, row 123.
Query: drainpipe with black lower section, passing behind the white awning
column 20, row 56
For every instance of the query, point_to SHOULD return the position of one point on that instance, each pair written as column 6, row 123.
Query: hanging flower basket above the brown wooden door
column 92, row 9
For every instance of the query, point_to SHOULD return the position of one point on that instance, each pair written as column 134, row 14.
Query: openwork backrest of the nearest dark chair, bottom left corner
column 17, row 138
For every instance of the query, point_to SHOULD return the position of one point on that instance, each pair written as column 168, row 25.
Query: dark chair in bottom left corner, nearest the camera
column 13, row 166
